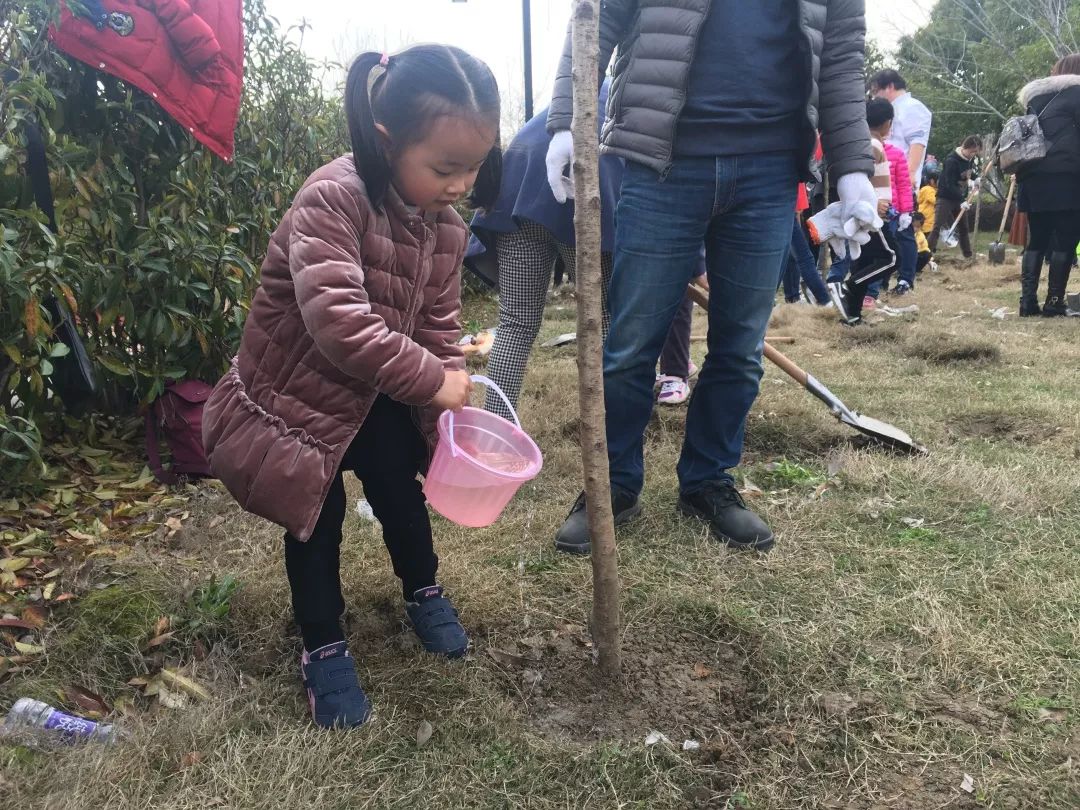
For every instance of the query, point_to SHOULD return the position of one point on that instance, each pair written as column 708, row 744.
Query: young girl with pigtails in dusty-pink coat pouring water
column 350, row 350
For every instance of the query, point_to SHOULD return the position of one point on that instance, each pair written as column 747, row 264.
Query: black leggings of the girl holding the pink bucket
column 387, row 455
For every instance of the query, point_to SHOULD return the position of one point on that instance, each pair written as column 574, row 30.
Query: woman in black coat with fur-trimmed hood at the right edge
column 1050, row 190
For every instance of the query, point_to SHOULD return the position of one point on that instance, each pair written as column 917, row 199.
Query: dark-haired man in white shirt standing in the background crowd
column 911, row 133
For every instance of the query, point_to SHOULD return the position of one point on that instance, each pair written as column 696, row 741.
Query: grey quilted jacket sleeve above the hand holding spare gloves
column 845, row 136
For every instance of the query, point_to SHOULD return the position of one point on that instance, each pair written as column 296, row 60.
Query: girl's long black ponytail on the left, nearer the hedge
column 369, row 154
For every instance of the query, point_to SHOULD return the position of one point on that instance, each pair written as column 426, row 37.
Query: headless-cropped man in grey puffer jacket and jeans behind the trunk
column 714, row 105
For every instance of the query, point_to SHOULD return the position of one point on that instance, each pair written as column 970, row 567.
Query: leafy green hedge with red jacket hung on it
column 159, row 241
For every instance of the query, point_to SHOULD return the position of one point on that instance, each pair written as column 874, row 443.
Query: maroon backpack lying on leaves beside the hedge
column 177, row 416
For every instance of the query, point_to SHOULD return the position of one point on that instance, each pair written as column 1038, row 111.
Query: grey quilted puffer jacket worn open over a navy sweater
column 657, row 40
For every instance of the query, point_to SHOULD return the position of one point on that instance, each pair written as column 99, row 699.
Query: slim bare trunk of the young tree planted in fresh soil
column 587, row 226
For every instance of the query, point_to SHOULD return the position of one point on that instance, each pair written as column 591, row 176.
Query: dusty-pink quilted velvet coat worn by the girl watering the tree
column 354, row 303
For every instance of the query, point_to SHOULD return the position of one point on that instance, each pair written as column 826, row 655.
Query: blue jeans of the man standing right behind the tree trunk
column 741, row 209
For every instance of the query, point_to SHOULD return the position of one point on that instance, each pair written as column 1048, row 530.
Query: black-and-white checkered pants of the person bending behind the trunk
column 526, row 260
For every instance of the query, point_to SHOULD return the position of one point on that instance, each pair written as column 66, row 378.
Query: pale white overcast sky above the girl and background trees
column 492, row 30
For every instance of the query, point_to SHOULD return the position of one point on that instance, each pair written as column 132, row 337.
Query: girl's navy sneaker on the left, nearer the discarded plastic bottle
column 334, row 693
